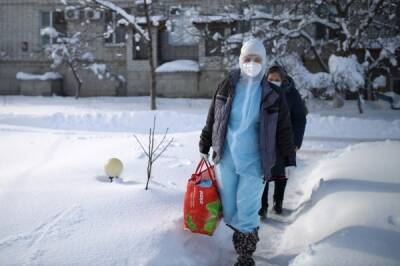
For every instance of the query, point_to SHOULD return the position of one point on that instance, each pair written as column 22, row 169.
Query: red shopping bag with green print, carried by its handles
column 202, row 208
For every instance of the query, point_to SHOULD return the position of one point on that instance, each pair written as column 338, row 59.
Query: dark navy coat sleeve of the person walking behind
column 298, row 117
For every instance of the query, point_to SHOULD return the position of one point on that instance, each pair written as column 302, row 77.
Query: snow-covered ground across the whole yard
column 57, row 207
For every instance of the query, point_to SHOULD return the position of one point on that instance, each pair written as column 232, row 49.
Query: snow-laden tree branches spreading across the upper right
column 325, row 27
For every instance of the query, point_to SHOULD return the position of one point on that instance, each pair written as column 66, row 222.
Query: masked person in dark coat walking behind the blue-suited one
column 278, row 78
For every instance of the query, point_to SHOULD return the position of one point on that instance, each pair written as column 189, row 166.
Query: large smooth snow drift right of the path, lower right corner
column 349, row 213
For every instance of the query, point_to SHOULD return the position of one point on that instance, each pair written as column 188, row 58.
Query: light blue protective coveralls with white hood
column 239, row 172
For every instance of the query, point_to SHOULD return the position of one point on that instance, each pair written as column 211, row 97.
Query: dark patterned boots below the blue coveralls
column 245, row 244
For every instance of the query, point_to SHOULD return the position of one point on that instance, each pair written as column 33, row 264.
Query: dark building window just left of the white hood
column 214, row 37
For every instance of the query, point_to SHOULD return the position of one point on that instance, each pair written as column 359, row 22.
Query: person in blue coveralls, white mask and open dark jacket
column 248, row 126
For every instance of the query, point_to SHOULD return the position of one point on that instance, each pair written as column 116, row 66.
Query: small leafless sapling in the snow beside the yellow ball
column 153, row 150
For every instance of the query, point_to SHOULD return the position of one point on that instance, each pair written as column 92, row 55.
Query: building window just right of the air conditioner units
column 115, row 28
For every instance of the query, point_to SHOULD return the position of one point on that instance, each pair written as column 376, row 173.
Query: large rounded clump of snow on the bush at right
column 347, row 73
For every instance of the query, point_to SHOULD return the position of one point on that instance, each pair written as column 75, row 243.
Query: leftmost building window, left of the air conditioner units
column 53, row 19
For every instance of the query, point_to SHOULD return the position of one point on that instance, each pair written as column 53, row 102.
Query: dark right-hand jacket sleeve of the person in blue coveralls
column 284, row 134
